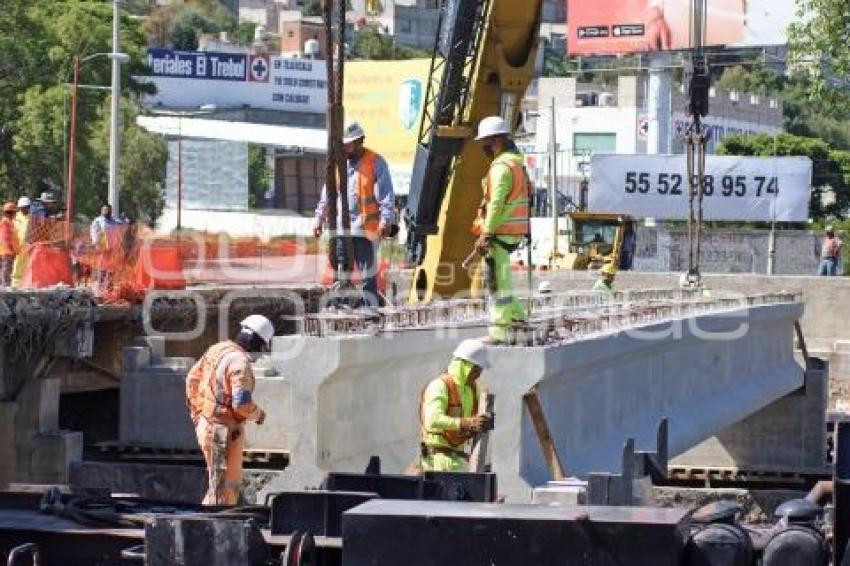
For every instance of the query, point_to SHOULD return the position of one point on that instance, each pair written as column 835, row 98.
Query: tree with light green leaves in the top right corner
column 819, row 42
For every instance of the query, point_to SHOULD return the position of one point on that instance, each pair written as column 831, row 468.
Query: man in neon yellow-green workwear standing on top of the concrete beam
column 502, row 222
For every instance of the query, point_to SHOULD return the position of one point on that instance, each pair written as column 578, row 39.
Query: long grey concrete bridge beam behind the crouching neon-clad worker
column 356, row 397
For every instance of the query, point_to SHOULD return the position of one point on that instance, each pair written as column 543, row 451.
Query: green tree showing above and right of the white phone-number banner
column 831, row 166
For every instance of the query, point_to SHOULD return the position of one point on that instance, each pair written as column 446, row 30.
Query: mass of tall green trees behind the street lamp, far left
column 41, row 40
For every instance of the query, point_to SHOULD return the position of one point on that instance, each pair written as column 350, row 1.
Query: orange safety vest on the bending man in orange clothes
column 215, row 390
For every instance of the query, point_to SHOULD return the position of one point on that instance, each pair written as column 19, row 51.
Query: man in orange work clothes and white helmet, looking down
column 219, row 390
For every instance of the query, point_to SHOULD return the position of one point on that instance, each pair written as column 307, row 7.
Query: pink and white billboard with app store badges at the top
column 630, row 26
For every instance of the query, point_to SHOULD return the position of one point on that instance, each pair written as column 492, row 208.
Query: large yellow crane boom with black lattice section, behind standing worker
column 482, row 64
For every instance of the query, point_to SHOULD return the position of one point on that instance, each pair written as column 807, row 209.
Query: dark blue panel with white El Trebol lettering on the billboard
column 197, row 65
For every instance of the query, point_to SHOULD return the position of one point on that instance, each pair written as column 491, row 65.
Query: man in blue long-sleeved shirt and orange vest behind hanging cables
column 371, row 208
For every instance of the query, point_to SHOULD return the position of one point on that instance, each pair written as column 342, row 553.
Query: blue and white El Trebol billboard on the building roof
column 233, row 80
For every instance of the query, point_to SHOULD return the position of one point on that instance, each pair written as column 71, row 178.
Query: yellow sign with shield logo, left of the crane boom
column 387, row 98
